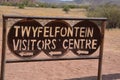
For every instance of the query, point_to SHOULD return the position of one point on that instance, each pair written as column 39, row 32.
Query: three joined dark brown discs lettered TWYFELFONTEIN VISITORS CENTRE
column 27, row 38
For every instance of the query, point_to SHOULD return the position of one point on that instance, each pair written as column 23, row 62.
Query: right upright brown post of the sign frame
column 101, row 51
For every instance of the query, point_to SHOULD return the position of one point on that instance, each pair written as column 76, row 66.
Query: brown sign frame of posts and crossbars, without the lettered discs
column 3, row 55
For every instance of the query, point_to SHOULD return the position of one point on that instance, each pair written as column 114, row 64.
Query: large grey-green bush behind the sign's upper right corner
column 112, row 12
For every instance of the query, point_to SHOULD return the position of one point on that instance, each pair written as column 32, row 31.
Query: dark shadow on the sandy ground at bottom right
column 105, row 77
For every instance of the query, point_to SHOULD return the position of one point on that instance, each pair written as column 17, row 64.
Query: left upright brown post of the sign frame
column 3, row 49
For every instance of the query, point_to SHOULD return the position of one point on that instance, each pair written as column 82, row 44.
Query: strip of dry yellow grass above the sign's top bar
column 41, row 11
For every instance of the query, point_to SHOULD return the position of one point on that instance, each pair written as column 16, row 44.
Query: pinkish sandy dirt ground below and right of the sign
column 70, row 70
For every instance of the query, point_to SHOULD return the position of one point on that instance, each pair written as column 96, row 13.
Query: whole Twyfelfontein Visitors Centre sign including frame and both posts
column 27, row 38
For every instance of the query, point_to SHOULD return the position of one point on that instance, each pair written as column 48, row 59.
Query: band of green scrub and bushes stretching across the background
column 110, row 11
